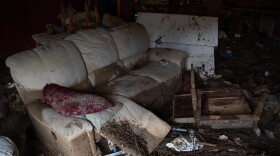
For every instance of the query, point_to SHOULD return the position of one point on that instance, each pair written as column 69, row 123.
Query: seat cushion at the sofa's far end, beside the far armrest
column 168, row 75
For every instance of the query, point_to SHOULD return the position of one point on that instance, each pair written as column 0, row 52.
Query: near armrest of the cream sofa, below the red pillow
column 63, row 135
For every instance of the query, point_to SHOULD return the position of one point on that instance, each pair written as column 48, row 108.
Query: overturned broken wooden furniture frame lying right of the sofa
column 216, row 107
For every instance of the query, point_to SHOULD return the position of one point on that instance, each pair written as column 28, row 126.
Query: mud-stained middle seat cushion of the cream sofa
column 142, row 90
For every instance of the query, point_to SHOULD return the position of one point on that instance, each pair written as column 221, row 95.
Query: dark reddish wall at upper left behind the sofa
column 22, row 18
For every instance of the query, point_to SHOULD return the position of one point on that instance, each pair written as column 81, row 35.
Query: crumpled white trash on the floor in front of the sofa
column 185, row 144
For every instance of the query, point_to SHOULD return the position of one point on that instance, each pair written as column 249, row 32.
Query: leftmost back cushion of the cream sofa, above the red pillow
column 58, row 62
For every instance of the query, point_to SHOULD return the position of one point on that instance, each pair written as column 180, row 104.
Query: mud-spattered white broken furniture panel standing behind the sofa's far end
column 195, row 35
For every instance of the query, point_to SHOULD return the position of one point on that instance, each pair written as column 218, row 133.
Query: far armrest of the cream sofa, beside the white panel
column 177, row 57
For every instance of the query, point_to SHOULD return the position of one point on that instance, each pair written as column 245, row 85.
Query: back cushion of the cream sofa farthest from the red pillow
column 132, row 42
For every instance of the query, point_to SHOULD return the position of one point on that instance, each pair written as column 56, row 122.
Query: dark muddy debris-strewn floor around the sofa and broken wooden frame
column 253, row 64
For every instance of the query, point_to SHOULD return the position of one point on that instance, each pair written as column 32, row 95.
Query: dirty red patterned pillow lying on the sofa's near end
column 69, row 102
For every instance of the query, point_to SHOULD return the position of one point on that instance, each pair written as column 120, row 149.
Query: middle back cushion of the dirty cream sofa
column 98, row 51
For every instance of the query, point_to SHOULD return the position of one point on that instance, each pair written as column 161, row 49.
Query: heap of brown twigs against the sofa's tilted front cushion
column 121, row 134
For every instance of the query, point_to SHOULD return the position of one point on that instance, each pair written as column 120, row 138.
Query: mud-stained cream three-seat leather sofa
column 116, row 63
